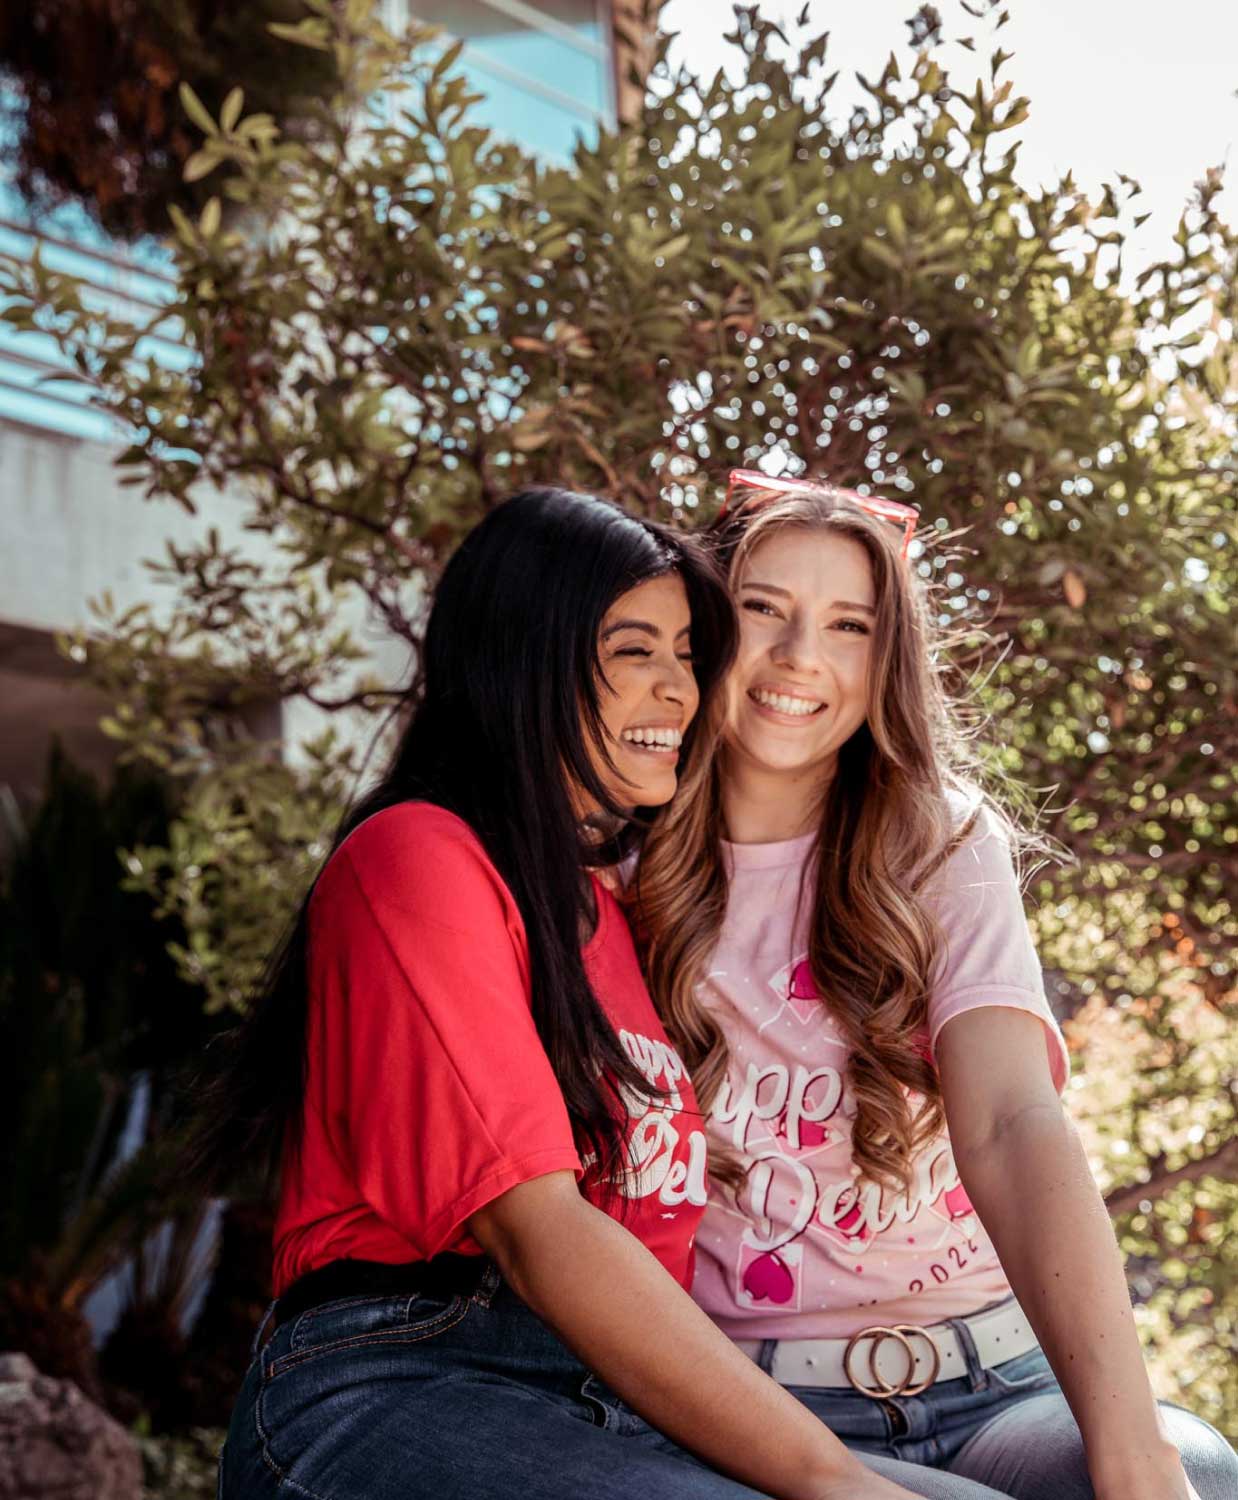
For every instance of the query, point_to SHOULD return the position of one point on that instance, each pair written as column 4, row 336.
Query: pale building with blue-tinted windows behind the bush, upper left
column 551, row 71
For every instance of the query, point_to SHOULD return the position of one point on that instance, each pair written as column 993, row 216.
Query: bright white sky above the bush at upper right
column 1146, row 88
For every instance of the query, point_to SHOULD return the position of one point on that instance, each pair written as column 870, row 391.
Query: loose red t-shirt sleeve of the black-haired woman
column 434, row 1082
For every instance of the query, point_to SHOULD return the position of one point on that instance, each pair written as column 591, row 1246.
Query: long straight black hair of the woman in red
column 503, row 718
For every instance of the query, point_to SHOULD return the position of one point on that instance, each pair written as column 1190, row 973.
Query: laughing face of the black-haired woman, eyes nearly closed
column 649, row 692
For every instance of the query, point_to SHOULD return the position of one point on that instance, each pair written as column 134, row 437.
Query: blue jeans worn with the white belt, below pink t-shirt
column 1006, row 1429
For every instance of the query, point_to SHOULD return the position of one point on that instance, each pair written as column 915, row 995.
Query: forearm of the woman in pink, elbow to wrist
column 1036, row 1196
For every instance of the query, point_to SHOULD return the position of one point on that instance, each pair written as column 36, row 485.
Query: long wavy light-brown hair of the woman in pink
column 886, row 826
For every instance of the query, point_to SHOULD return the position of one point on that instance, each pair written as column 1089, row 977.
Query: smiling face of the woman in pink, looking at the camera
column 799, row 688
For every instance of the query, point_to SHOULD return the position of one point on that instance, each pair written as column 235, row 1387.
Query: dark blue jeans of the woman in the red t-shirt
column 458, row 1399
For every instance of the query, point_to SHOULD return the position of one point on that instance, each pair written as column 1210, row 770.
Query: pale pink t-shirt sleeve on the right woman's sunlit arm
column 988, row 958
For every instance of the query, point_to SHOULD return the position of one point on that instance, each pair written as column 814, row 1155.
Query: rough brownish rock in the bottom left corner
column 56, row 1445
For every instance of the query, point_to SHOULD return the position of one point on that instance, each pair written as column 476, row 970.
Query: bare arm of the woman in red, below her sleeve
column 622, row 1313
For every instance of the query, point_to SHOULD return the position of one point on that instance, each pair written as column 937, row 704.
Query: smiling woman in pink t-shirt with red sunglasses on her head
column 903, row 1228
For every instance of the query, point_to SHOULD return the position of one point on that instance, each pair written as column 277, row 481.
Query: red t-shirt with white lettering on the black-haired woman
column 428, row 1090
